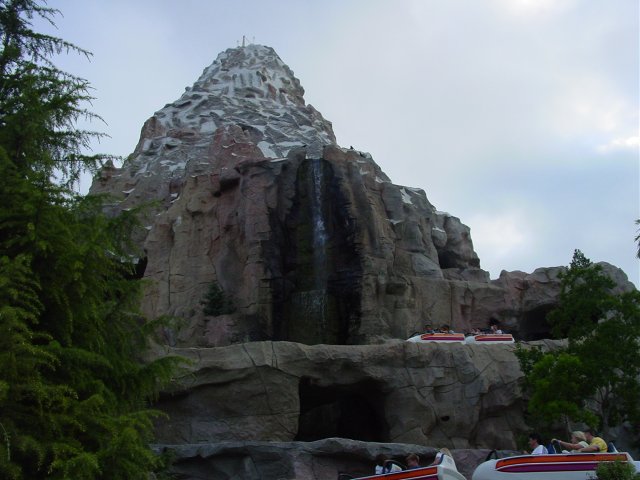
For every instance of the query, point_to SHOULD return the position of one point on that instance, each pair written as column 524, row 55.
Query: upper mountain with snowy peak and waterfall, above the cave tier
column 313, row 241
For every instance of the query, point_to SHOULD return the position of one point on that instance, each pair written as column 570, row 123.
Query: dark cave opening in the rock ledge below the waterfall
column 354, row 411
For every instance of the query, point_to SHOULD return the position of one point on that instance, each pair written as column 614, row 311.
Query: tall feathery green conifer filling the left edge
column 73, row 388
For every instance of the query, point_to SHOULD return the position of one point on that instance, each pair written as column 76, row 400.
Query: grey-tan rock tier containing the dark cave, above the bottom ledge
column 456, row 396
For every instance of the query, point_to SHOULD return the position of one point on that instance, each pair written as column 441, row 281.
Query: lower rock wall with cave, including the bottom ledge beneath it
column 323, row 409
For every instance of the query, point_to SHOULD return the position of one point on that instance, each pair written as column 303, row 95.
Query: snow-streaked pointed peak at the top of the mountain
column 250, row 87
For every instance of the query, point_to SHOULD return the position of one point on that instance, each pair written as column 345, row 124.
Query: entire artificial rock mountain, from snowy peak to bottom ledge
column 329, row 266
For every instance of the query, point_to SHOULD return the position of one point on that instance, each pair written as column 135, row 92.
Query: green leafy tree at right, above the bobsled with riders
column 595, row 378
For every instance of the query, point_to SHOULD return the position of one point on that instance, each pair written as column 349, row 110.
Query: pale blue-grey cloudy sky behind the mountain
column 520, row 117
